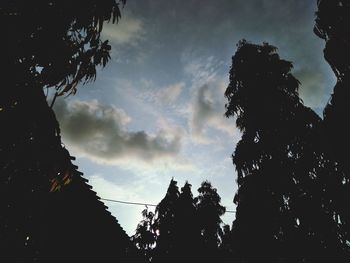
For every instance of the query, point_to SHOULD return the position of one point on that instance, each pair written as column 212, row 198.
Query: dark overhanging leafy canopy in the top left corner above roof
column 55, row 43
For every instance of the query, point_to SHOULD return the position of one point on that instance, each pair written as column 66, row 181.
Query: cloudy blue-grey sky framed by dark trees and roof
column 156, row 111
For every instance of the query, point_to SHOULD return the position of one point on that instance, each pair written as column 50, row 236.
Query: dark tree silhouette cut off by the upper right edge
column 331, row 25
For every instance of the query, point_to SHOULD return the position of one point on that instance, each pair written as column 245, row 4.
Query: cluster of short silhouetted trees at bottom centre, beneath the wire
column 184, row 228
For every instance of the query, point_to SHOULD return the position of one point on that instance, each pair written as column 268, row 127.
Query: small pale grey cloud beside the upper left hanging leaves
column 129, row 31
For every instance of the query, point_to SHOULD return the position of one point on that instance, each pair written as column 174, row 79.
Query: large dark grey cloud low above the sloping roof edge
column 100, row 133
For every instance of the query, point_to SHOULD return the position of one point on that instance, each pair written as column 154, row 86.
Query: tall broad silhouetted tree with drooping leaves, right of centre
column 282, row 203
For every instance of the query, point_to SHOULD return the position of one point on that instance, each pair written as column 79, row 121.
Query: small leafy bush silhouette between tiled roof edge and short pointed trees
column 145, row 237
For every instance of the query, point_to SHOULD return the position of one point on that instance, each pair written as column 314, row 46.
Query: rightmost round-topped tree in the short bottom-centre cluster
column 209, row 212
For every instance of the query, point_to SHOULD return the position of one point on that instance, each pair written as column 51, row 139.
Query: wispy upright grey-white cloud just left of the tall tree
column 206, row 108
